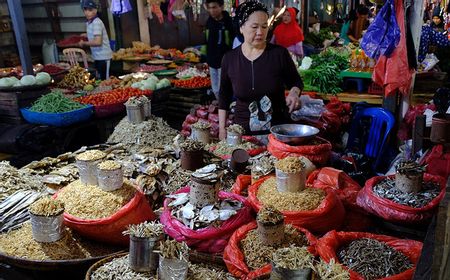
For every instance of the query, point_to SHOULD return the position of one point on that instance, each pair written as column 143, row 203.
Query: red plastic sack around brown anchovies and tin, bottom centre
column 235, row 260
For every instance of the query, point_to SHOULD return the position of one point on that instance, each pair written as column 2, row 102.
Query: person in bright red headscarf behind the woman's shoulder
column 289, row 34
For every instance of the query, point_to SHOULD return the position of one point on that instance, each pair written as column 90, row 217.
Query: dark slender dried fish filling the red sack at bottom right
column 373, row 259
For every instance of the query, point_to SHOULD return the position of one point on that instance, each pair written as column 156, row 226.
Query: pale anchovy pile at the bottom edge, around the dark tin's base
column 119, row 268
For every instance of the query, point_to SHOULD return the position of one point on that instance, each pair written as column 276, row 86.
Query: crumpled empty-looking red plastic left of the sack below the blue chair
column 344, row 186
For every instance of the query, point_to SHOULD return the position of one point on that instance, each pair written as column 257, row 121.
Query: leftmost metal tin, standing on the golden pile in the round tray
column 47, row 229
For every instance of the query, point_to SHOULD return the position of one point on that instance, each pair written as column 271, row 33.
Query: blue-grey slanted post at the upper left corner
column 18, row 21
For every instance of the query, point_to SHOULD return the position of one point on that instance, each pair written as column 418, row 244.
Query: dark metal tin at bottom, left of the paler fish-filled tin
column 141, row 257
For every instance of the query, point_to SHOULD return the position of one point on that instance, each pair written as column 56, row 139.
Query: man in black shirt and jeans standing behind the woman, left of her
column 219, row 33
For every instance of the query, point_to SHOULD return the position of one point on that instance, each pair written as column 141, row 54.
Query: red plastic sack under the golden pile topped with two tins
column 109, row 230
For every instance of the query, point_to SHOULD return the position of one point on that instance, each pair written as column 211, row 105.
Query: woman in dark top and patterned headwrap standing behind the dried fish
column 257, row 73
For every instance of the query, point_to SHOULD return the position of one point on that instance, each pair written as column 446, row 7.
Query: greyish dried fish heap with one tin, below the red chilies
column 153, row 133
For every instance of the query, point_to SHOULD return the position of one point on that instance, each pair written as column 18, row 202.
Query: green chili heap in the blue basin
column 55, row 102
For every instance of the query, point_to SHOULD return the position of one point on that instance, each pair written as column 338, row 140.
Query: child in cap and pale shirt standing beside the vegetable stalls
column 98, row 39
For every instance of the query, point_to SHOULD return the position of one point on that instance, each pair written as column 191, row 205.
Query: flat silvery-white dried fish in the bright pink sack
column 197, row 218
